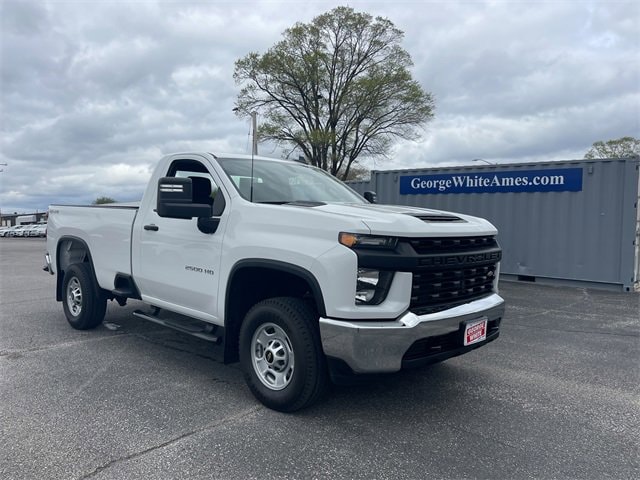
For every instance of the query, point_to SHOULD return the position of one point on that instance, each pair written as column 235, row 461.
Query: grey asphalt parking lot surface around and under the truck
column 556, row 396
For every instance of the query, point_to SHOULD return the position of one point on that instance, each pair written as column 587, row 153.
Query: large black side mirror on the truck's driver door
column 175, row 199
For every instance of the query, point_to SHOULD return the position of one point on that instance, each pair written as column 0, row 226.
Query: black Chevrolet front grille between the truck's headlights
column 452, row 271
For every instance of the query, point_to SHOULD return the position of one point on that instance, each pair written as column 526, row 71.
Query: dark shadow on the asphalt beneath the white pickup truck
column 444, row 386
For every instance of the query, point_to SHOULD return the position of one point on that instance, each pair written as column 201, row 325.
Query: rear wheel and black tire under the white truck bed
column 83, row 301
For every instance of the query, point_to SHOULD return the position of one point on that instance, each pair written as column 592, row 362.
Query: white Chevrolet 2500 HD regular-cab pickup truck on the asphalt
column 283, row 268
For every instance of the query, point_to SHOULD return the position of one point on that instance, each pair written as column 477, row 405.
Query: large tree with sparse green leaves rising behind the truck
column 334, row 89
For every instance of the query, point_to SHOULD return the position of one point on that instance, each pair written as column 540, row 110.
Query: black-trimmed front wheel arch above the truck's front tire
column 254, row 280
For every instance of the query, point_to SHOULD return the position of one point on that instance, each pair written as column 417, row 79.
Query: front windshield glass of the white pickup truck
column 280, row 182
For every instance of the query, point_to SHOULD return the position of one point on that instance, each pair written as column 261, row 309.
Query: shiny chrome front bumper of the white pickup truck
column 379, row 346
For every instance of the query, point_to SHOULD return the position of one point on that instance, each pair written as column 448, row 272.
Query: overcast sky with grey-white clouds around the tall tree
column 94, row 92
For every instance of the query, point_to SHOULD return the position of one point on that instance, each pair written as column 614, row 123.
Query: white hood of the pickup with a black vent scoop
column 410, row 221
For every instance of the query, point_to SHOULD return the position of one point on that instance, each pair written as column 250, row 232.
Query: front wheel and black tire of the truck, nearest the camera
column 281, row 354
